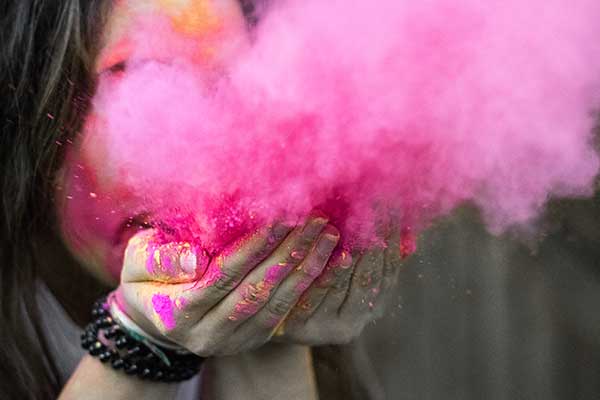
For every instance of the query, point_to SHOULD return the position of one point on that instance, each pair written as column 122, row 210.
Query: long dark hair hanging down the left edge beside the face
column 47, row 49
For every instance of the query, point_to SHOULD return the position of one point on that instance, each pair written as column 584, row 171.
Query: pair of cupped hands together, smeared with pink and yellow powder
column 283, row 281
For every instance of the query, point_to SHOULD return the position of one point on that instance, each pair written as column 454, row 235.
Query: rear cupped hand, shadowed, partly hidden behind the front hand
column 350, row 293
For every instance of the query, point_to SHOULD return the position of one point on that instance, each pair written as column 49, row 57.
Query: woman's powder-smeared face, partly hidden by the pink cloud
column 97, row 226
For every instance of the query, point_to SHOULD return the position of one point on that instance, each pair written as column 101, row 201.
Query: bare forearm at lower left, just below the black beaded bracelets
column 95, row 380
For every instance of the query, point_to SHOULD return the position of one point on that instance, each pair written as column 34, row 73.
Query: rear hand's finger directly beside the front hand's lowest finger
column 310, row 300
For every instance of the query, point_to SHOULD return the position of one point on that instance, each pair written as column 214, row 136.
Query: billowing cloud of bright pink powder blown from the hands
column 380, row 115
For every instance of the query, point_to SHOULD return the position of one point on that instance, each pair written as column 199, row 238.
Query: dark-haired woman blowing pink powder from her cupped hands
column 52, row 56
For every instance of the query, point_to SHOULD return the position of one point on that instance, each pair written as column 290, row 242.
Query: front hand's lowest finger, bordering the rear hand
column 288, row 293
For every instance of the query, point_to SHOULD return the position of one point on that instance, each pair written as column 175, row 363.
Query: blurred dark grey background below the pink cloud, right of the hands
column 484, row 317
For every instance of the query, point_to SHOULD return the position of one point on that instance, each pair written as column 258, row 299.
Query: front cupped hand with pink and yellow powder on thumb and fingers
column 237, row 302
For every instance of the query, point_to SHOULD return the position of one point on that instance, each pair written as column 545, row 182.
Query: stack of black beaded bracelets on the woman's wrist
column 110, row 343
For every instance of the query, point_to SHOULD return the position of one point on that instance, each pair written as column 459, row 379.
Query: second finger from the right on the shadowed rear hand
column 364, row 285
